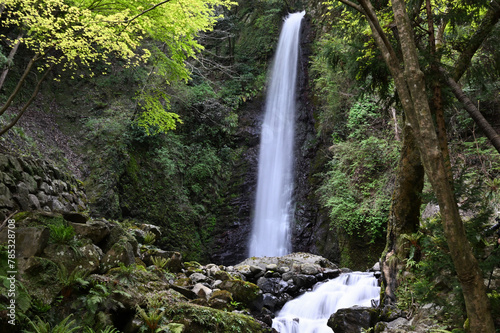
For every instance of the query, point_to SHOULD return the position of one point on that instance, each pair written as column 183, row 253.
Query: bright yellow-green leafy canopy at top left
column 76, row 34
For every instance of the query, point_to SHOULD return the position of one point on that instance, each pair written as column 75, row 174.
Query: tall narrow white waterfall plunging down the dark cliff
column 271, row 225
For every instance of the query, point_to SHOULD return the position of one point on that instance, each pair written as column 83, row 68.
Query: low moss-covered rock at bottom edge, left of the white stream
column 198, row 319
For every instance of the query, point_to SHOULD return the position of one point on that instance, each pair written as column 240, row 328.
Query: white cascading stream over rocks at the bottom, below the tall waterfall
column 309, row 313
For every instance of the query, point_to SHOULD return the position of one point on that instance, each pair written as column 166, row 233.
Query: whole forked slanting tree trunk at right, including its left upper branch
column 410, row 86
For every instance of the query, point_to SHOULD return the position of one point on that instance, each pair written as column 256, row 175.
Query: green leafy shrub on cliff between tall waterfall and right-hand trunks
column 357, row 187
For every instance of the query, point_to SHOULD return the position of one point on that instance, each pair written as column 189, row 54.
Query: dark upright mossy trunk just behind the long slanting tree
column 405, row 212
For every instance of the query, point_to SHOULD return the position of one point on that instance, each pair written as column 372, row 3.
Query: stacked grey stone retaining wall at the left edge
column 32, row 184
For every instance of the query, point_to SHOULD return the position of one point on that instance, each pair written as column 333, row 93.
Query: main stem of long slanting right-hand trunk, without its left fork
column 466, row 265
